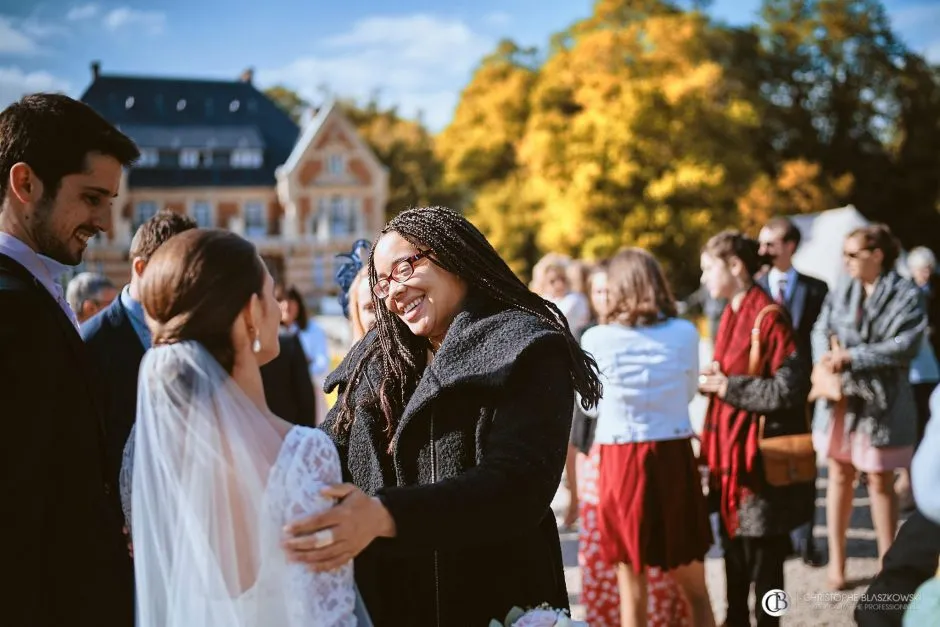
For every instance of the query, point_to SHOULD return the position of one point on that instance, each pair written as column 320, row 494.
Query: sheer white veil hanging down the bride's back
column 203, row 453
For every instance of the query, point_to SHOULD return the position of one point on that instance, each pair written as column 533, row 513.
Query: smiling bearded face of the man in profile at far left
column 60, row 226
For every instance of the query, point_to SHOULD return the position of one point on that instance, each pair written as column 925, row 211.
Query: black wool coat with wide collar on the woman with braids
column 474, row 463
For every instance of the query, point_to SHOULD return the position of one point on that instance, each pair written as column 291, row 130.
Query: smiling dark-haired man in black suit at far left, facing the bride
column 60, row 168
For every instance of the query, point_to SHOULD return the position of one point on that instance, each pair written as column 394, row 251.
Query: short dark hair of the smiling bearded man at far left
column 53, row 135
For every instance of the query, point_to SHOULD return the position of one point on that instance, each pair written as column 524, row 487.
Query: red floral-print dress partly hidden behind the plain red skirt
column 599, row 592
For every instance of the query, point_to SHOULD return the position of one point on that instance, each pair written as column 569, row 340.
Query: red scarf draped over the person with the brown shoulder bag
column 729, row 437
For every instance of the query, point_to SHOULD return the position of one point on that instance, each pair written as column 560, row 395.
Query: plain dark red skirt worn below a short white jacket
column 651, row 508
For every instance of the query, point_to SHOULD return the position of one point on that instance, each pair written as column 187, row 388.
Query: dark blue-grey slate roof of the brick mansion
column 159, row 109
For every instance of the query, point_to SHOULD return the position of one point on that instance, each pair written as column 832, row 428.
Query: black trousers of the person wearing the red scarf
column 756, row 562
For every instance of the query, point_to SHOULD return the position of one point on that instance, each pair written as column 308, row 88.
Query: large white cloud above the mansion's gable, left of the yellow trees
column 418, row 62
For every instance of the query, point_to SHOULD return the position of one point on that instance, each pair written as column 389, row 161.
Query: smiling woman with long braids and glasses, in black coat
column 452, row 426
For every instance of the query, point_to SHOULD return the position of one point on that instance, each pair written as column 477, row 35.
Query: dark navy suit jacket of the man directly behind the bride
column 116, row 351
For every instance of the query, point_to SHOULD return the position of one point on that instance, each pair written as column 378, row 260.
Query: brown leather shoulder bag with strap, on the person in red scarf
column 788, row 459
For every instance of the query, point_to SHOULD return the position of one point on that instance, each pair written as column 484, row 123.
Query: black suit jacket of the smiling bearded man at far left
column 61, row 542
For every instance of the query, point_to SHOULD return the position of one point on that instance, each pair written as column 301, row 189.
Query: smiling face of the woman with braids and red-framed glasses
column 430, row 299
